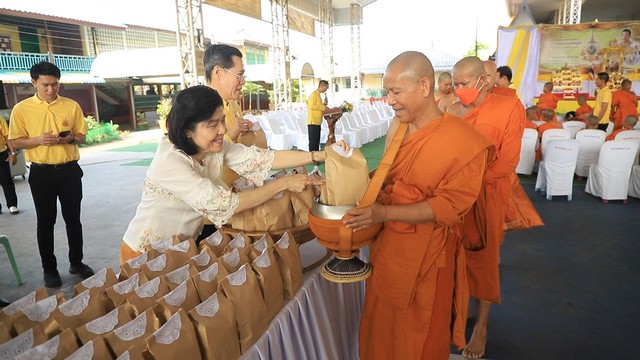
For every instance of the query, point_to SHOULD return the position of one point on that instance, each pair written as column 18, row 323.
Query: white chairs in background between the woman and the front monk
column 287, row 129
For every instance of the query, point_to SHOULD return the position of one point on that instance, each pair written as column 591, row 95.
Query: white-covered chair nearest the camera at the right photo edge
column 609, row 177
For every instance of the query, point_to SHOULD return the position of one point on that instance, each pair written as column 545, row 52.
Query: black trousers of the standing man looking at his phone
column 49, row 183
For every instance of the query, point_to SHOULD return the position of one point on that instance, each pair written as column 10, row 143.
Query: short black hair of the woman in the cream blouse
column 191, row 106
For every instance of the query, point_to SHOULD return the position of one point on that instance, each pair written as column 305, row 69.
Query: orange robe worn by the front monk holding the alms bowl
column 410, row 300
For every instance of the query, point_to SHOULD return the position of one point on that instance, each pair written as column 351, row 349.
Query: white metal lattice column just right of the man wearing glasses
column 281, row 54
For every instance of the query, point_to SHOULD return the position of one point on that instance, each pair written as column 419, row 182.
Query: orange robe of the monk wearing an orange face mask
column 501, row 121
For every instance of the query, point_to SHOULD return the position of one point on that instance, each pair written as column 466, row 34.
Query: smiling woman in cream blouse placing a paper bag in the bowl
column 182, row 183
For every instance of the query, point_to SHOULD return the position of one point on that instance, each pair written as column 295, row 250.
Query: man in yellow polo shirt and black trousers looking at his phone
column 50, row 127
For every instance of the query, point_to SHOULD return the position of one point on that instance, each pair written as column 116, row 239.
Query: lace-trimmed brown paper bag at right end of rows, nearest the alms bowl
column 289, row 263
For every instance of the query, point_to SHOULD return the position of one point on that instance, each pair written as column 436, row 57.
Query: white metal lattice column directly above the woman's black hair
column 190, row 37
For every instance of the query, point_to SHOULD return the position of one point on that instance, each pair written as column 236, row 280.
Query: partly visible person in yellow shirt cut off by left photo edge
column 8, row 157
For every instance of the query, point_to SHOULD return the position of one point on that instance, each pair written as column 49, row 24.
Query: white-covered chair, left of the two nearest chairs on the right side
column 555, row 174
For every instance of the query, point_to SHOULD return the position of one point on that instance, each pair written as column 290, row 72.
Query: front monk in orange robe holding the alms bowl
column 415, row 299
